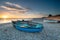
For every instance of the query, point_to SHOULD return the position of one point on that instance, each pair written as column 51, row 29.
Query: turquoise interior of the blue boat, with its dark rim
column 27, row 24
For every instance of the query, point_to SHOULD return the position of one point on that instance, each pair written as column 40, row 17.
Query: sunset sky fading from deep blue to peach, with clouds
column 29, row 8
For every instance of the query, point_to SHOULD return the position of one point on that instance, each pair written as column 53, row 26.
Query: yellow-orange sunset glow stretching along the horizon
column 5, row 15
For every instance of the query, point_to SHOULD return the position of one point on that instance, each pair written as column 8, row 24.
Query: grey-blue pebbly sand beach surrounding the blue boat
column 51, row 32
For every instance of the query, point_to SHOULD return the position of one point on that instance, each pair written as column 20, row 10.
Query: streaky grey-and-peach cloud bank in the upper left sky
column 14, row 7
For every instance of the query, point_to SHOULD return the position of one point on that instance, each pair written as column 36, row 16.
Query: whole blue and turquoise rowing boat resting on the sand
column 28, row 26
